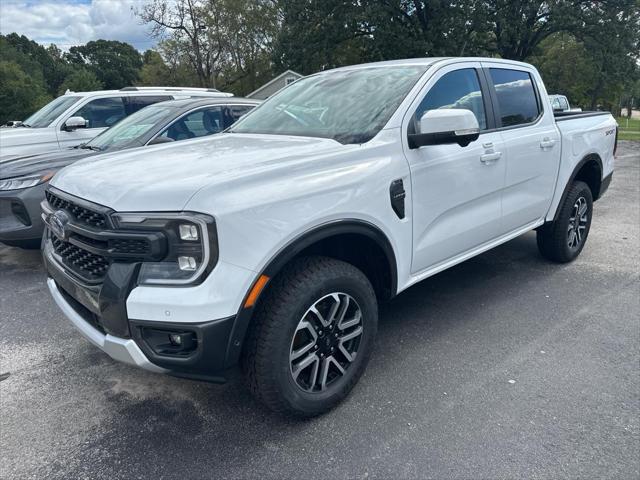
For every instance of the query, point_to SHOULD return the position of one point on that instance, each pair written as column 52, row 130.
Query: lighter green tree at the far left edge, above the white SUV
column 20, row 94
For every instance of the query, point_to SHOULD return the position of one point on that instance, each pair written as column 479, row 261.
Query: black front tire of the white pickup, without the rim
column 266, row 360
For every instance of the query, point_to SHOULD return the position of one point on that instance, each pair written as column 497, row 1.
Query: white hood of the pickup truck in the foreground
column 165, row 177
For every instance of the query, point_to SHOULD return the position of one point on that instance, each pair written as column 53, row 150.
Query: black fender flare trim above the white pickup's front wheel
column 293, row 248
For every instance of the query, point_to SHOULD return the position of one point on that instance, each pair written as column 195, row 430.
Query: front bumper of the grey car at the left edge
column 20, row 220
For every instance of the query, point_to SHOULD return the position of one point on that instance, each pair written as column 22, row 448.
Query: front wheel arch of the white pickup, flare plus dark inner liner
column 336, row 239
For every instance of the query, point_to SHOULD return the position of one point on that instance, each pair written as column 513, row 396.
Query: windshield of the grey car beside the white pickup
column 130, row 128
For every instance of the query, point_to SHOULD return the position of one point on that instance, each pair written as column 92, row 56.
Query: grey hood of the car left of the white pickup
column 19, row 166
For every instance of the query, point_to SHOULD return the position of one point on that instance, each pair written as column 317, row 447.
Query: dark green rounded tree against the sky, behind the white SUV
column 115, row 64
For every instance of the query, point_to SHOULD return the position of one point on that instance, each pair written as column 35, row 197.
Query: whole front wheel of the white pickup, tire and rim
column 313, row 336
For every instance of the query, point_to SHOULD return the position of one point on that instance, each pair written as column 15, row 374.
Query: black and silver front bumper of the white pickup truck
column 99, row 312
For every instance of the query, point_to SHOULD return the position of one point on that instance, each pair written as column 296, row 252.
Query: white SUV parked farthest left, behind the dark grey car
column 77, row 117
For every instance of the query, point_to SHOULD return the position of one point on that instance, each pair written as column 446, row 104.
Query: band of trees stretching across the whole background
column 586, row 49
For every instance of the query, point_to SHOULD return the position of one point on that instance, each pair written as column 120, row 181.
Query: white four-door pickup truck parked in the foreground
column 271, row 245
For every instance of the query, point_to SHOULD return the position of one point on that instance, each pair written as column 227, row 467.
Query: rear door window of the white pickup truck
column 517, row 100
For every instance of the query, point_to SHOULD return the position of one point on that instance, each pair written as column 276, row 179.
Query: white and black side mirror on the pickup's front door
column 446, row 125
